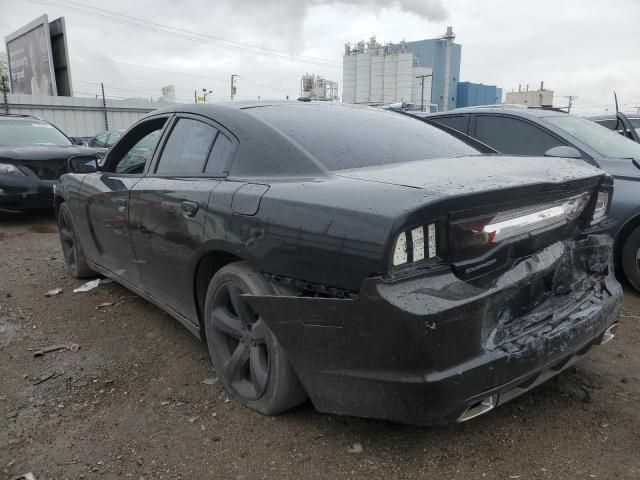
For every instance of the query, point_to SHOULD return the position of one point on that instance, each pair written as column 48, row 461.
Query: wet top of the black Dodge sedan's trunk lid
column 463, row 175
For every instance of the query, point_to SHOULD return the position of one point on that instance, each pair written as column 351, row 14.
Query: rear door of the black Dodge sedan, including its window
column 168, row 209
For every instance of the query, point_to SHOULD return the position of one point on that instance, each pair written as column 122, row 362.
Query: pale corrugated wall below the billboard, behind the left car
column 79, row 117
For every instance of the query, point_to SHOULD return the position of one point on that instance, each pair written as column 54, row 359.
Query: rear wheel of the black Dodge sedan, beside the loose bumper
column 247, row 357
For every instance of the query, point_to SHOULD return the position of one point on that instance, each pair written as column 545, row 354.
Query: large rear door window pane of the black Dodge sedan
column 187, row 148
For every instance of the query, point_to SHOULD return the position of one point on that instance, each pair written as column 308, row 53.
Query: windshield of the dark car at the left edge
column 21, row 133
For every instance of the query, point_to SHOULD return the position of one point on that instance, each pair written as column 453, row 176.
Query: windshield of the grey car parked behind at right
column 607, row 143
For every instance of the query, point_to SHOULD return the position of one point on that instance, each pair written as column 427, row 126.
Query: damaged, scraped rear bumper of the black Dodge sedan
column 434, row 349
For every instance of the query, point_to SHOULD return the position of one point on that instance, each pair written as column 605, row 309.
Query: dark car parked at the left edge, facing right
column 33, row 155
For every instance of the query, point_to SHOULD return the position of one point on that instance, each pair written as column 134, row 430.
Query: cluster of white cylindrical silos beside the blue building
column 379, row 74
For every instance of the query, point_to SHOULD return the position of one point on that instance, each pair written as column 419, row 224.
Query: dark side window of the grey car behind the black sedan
column 513, row 136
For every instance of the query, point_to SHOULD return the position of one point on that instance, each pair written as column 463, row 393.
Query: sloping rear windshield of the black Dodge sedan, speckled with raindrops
column 343, row 137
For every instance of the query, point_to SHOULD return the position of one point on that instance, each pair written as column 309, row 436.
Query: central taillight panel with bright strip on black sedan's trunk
column 476, row 235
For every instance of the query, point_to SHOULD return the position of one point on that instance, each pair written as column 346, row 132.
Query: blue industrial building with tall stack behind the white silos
column 443, row 56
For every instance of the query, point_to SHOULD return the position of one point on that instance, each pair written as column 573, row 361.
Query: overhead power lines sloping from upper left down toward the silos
column 183, row 34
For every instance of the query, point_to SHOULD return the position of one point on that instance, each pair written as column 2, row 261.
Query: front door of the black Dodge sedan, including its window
column 107, row 231
